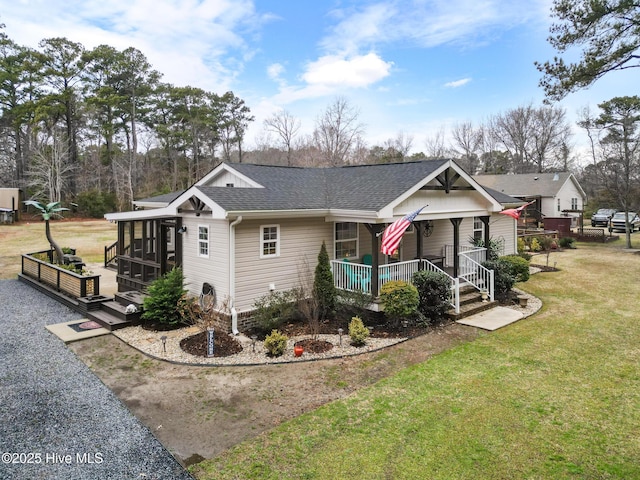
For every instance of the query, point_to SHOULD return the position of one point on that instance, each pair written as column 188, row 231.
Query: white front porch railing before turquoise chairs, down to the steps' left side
column 357, row 277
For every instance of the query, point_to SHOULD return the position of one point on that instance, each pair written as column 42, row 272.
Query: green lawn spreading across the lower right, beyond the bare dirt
column 556, row 395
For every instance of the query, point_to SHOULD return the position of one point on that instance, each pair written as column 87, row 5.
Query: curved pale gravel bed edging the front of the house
column 150, row 343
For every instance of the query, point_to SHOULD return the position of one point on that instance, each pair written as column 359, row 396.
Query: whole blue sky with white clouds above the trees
column 410, row 66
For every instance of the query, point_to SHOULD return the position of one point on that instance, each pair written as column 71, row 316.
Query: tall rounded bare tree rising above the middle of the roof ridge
column 337, row 132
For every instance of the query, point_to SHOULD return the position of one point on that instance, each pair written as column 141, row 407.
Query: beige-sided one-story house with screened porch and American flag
column 250, row 229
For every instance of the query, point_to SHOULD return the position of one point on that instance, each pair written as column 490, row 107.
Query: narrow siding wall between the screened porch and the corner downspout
column 214, row 269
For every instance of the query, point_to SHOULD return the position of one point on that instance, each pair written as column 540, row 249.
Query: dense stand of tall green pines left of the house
column 99, row 125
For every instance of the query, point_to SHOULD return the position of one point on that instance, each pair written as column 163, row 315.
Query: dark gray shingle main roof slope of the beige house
column 361, row 187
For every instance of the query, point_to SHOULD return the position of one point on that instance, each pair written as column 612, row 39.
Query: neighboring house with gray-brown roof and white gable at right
column 556, row 194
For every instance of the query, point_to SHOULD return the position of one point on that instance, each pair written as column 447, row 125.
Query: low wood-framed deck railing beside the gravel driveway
column 61, row 280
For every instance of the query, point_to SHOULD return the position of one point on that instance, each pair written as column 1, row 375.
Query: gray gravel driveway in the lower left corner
column 57, row 419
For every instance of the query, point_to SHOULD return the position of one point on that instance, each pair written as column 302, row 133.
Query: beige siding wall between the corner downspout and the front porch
column 300, row 240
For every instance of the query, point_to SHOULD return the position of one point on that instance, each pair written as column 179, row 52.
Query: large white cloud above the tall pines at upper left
column 200, row 43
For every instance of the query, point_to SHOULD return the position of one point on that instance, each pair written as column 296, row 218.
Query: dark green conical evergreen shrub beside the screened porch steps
column 163, row 297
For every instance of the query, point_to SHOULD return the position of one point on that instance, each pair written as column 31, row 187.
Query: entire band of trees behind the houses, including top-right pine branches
column 99, row 127
